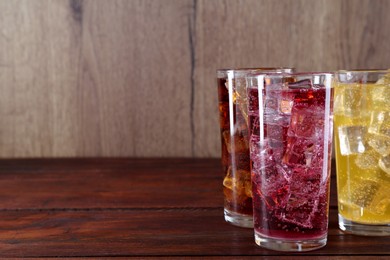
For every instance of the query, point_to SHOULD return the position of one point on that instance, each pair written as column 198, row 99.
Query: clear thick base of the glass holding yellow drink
column 363, row 229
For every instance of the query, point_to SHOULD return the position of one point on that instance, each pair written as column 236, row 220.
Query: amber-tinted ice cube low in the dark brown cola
column 238, row 181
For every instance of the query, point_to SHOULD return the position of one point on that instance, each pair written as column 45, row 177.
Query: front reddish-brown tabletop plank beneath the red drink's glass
column 182, row 232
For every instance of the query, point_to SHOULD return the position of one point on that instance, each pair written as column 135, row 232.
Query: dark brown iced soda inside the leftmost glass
column 235, row 154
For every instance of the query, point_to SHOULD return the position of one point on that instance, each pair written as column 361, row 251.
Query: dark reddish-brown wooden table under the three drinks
column 136, row 207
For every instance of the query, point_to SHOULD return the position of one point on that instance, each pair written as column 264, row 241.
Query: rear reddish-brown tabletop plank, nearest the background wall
column 113, row 183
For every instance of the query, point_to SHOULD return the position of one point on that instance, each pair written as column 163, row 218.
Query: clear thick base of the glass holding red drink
column 289, row 245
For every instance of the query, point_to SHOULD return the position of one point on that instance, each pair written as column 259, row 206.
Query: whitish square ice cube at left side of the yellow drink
column 352, row 139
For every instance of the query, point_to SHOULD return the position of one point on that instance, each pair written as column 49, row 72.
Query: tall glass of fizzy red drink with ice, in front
column 290, row 125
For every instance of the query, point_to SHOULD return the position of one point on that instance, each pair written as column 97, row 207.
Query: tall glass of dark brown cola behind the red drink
column 235, row 150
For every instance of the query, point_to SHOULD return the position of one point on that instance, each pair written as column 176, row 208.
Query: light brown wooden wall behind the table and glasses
column 137, row 77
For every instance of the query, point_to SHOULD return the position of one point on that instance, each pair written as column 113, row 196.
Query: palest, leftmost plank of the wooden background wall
column 40, row 49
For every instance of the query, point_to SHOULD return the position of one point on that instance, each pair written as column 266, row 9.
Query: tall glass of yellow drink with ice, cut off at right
column 362, row 138
